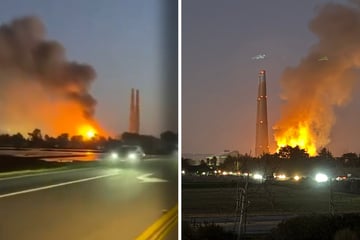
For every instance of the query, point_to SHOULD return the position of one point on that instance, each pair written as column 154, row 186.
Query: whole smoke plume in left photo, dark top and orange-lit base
column 39, row 87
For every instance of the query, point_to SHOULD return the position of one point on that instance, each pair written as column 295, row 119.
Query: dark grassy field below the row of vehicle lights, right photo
column 281, row 198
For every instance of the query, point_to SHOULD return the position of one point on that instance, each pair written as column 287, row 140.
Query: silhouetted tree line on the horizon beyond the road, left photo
column 167, row 143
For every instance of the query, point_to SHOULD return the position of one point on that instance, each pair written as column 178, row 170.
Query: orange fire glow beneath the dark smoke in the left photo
column 53, row 115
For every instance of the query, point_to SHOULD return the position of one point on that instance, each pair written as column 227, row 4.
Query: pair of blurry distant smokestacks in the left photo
column 134, row 121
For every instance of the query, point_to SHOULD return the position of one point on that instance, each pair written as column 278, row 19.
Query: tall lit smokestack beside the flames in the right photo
column 262, row 139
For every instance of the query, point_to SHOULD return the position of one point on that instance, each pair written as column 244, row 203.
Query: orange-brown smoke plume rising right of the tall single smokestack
column 314, row 88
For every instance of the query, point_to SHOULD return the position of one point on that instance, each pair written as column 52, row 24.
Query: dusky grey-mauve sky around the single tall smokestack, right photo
column 219, row 84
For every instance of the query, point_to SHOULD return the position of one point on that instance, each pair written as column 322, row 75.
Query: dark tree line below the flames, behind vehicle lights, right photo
column 290, row 160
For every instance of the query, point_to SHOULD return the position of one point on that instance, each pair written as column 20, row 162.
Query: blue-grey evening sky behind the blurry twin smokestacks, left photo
column 127, row 44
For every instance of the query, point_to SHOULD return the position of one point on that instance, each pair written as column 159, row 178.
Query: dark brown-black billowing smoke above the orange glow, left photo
column 27, row 55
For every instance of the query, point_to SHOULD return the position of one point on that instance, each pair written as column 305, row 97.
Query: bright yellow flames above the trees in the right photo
column 297, row 136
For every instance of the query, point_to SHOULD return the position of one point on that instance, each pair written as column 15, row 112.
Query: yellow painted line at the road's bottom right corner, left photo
column 161, row 227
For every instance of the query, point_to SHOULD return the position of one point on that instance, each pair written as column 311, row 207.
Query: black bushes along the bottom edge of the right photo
column 316, row 227
